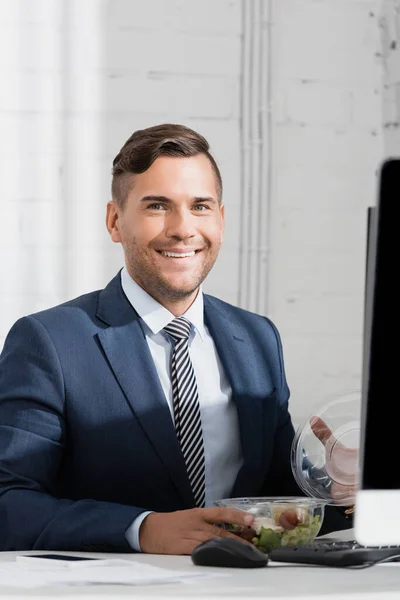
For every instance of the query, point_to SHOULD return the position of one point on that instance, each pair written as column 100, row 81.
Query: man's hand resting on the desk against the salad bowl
column 182, row 531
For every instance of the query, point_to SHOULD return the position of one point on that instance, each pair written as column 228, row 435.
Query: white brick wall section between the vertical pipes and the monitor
column 327, row 143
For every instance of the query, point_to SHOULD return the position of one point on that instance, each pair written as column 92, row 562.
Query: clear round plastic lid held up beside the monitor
column 325, row 451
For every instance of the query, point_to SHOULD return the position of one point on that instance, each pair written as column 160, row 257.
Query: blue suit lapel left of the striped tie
column 127, row 351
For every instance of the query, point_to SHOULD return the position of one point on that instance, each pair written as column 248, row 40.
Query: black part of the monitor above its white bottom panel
column 380, row 465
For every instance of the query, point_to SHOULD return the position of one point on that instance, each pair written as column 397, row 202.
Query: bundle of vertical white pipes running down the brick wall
column 256, row 154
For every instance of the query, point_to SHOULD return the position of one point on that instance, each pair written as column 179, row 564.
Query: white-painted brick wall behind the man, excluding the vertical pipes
column 79, row 76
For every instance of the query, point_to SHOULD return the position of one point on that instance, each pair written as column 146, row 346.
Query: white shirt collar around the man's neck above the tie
column 154, row 314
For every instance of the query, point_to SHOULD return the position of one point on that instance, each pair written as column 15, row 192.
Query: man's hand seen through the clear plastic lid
column 341, row 462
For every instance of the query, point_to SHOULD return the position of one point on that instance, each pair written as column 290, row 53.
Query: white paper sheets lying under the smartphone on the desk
column 20, row 575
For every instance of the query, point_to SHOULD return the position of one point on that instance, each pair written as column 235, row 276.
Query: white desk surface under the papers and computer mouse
column 276, row 581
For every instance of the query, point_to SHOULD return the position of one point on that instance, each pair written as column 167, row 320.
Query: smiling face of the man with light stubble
column 171, row 226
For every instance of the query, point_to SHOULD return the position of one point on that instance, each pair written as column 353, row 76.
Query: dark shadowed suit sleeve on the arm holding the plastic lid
column 280, row 480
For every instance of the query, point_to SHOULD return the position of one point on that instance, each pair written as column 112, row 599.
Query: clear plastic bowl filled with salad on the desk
column 280, row 521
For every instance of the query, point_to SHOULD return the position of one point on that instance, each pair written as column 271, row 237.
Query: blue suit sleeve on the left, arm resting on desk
column 32, row 446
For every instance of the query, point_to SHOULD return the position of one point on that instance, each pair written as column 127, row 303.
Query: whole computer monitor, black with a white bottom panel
column 377, row 510
